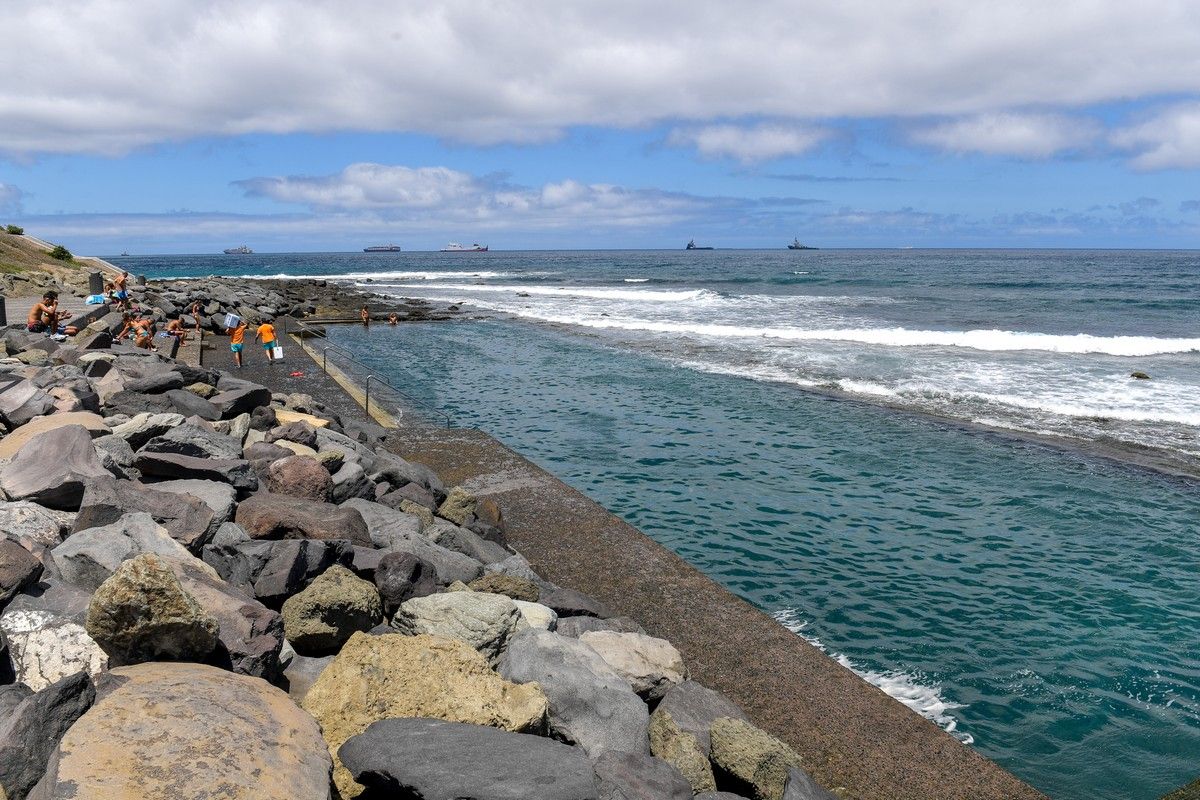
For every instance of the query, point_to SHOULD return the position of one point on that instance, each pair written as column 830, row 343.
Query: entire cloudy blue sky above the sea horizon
column 295, row 125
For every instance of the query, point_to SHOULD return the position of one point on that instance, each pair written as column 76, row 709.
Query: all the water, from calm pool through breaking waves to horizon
column 933, row 465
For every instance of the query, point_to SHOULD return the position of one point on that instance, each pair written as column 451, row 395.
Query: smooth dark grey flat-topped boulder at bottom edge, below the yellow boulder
column 454, row 761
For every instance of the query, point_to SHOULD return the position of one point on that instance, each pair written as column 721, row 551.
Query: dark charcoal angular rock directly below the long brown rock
column 273, row 572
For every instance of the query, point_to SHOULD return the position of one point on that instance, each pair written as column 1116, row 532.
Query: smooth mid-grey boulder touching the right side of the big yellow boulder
column 590, row 703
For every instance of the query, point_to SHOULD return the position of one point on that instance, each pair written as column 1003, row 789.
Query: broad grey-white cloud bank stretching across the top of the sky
column 106, row 76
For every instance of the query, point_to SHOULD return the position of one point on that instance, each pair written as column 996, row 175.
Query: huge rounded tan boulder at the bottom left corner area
column 201, row 733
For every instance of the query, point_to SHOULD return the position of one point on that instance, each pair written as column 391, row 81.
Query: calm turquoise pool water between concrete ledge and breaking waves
column 1045, row 606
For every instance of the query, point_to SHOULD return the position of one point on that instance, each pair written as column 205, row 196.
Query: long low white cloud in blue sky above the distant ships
column 440, row 195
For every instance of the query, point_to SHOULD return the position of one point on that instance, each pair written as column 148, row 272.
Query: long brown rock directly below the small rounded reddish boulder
column 279, row 516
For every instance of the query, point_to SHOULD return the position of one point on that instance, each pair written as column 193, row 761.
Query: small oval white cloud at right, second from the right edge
column 1025, row 136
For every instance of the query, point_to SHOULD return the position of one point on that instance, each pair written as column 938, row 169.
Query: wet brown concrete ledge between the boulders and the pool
column 851, row 736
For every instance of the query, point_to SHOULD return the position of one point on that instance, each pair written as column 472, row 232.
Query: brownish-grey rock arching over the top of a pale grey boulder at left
column 188, row 520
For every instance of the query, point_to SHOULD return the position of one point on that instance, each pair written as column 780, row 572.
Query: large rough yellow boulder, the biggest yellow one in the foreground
column 386, row 677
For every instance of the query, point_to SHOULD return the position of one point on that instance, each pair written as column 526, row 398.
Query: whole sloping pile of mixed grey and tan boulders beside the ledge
column 212, row 591
